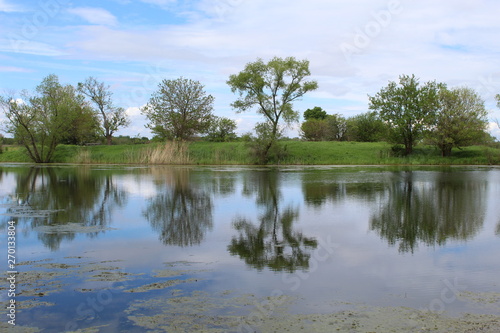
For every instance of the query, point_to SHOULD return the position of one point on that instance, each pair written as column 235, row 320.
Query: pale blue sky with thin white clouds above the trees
column 354, row 47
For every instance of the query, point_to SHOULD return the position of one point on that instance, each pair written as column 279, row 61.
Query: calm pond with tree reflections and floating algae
column 251, row 249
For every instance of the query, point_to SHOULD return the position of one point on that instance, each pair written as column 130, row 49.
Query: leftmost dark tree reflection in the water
column 56, row 196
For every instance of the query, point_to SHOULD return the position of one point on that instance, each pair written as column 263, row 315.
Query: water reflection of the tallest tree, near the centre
column 272, row 243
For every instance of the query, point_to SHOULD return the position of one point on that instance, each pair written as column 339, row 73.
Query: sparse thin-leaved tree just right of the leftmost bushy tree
column 112, row 117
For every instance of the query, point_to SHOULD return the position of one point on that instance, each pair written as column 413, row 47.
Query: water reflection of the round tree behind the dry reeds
column 181, row 213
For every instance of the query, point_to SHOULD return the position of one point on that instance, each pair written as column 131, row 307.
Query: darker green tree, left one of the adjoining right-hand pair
column 408, row 107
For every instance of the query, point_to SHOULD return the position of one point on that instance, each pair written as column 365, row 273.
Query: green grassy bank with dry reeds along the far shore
column 238, row 153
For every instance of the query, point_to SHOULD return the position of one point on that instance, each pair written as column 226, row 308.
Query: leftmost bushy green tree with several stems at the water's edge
column 42, row 120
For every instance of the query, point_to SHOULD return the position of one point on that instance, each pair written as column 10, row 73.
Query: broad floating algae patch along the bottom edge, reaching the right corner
column 226, row 312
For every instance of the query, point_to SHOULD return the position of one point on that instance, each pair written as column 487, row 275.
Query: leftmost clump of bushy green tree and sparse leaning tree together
column 61, row 114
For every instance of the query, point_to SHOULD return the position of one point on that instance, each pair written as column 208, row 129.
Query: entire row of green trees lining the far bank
column 404, row 112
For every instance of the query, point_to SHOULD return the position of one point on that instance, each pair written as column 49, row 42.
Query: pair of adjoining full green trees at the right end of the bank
column 448, row 117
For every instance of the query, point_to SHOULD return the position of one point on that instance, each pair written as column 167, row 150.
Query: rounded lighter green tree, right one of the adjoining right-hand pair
column 461, row 119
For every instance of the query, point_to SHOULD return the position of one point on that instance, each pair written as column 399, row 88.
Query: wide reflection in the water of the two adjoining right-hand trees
column 452, row 206
